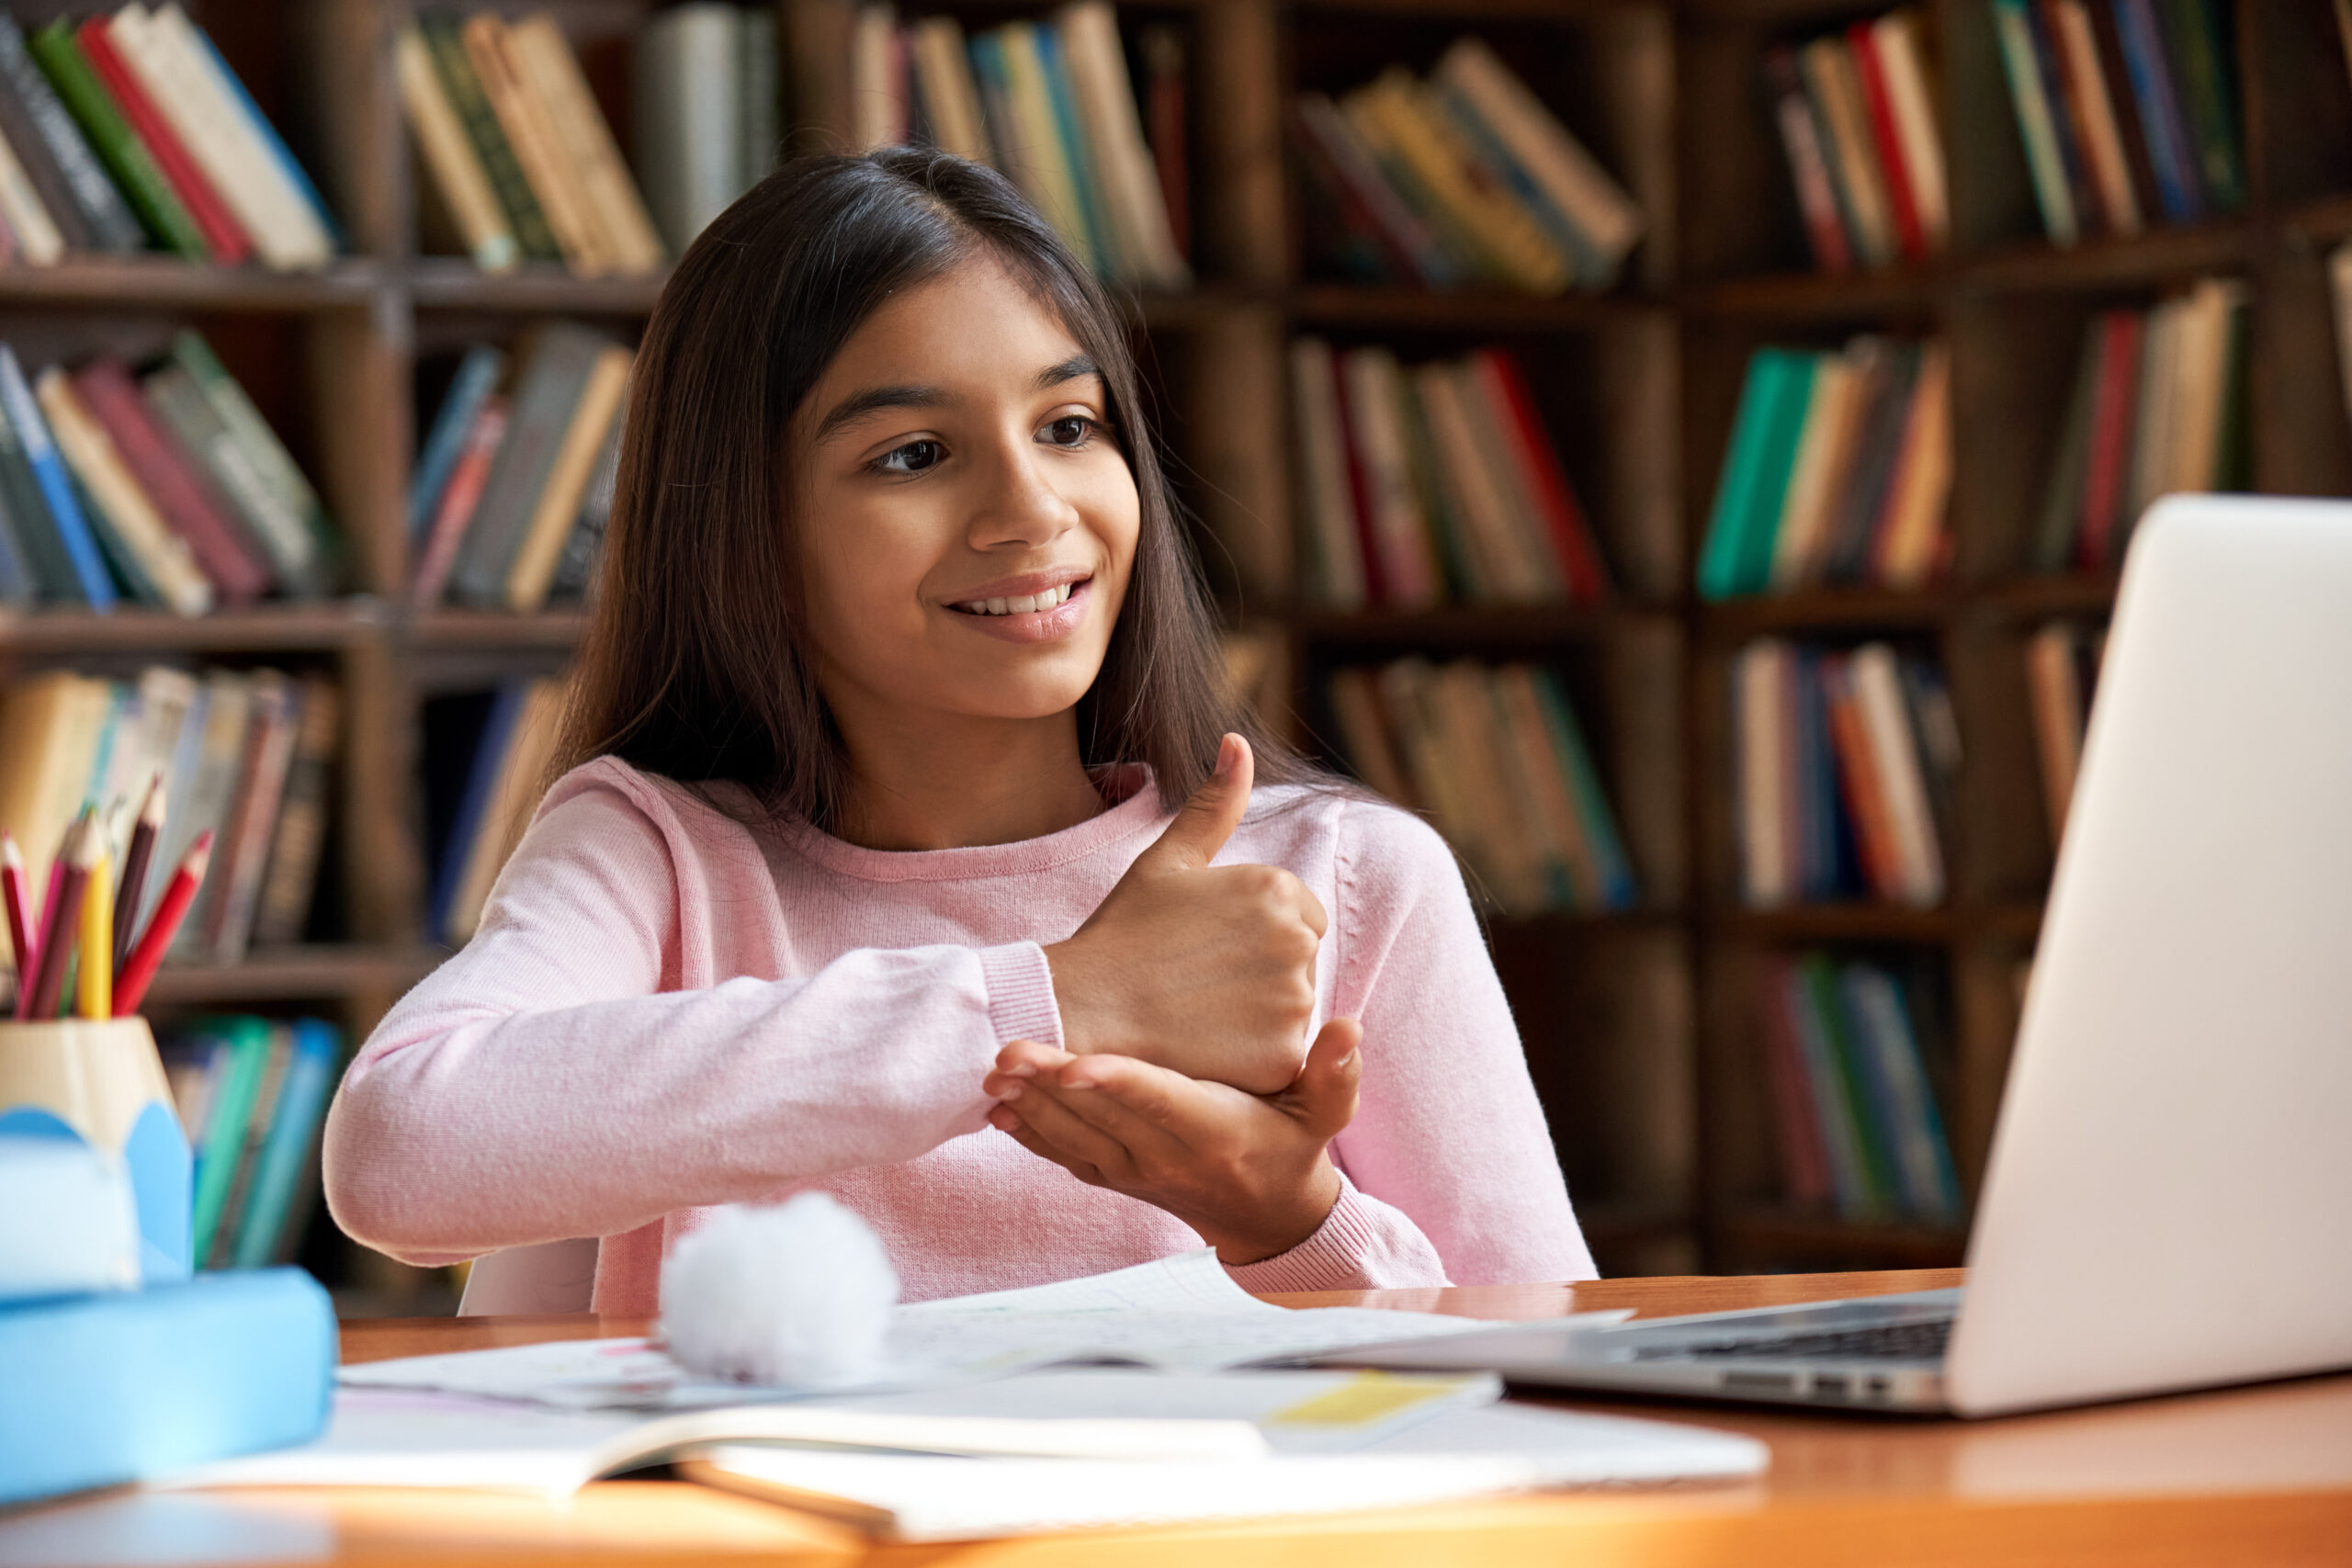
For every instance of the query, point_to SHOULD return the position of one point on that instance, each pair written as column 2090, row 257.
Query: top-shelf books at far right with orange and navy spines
column 2127, row 112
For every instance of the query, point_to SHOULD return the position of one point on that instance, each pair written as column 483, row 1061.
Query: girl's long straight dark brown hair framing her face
column 697, row 662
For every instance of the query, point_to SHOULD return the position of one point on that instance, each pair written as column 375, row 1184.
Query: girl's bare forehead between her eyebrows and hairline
column 970, row 328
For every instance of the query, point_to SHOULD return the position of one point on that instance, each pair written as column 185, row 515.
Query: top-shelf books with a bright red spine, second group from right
column 1859, row 128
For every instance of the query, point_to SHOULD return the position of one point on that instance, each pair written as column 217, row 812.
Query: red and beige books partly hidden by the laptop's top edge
column 2158, row 406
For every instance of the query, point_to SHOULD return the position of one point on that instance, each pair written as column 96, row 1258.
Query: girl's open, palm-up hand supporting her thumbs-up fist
column 1250, row 1174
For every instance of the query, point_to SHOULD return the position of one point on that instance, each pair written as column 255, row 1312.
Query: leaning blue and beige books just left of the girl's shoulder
column 486, row 765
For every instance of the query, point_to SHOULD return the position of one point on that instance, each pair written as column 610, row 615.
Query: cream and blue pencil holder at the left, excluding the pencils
column 100, row 1083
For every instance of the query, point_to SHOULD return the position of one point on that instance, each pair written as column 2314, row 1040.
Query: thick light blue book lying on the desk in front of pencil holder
column 135, row 1386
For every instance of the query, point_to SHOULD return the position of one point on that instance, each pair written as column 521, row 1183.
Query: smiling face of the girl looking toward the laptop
column 968, row 518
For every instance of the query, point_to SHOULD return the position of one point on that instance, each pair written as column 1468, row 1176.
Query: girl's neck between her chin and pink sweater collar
column 956, row 784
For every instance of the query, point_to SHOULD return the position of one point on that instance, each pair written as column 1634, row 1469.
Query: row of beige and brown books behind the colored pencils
column 243, row 753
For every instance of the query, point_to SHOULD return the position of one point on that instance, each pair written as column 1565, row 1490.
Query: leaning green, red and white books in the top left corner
column 126, row 133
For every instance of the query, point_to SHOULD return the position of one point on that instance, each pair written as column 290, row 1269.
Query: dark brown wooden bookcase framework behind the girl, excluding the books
column 1641, row 1026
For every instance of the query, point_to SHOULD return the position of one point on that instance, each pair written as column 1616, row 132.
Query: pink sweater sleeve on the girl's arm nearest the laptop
column 1452, row 1170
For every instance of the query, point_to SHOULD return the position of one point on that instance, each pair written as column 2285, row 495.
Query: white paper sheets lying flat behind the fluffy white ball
column 1180, row 1315
